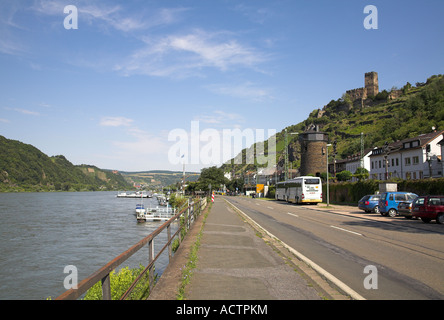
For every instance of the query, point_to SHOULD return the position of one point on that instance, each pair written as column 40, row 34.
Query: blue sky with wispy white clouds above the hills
column 147, row 85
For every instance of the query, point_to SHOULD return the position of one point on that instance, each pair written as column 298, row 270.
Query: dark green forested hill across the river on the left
column 23, row 167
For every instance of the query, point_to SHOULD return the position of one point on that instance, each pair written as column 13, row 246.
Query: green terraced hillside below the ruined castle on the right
column 388, row 116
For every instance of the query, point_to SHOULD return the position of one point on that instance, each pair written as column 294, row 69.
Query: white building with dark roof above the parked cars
column 414, row 158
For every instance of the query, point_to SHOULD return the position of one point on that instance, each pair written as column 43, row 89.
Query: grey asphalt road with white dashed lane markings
column 408, row 254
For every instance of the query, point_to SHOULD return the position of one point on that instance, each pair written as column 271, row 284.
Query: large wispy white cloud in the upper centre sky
column 186, row 55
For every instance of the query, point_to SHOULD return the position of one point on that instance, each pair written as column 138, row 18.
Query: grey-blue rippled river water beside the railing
column 41, row 233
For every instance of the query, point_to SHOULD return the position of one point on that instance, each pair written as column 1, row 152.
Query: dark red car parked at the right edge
column 429, row 208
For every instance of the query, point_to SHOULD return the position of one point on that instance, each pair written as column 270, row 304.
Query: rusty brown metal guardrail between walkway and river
column 189, row 214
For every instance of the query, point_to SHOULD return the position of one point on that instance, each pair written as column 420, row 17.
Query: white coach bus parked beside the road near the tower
column 300, row 190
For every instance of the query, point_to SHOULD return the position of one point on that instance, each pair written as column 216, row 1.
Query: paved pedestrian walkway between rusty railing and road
column 235, row 263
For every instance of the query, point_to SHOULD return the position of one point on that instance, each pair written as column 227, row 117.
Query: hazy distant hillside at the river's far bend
column 158, row 178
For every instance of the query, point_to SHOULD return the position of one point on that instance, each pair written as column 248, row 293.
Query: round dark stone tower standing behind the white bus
column 313, row 152
